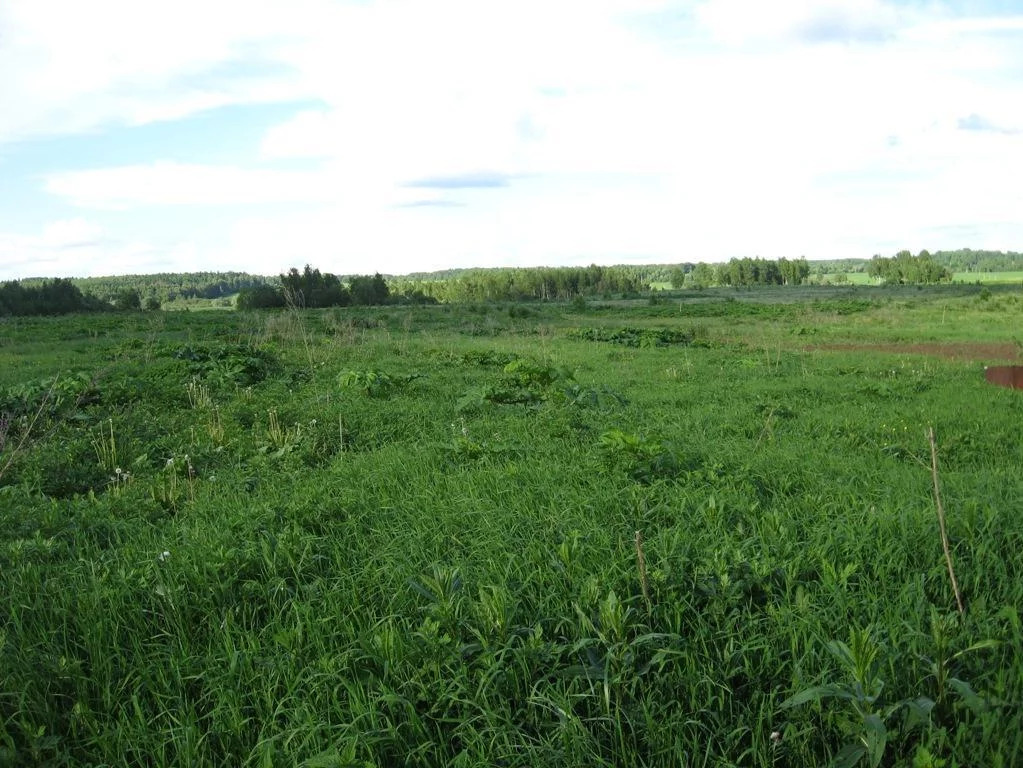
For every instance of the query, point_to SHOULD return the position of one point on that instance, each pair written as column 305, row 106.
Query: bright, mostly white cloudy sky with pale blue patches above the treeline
column 414, row 135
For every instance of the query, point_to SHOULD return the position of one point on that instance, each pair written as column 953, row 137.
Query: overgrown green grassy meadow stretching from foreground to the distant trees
column 698, row 530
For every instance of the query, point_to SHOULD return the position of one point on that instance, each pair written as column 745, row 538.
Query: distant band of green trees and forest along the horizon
column 312, row 288
